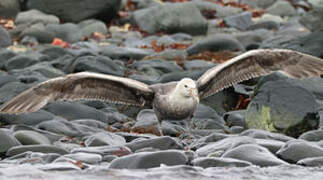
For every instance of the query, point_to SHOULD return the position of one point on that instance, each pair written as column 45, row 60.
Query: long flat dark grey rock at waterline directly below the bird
column 143, row 160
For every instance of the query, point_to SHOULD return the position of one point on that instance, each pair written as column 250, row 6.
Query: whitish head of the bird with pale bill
column 187, row 88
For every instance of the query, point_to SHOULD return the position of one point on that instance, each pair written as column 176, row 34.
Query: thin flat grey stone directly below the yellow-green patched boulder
column 262, row 134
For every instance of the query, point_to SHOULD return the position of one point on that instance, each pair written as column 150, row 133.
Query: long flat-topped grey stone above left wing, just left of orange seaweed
column 115, row 52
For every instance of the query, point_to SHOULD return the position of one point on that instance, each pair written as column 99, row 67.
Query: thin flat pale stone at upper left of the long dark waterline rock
column 104, row 150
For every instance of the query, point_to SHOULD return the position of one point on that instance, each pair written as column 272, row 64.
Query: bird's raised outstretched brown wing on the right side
column 257, row 63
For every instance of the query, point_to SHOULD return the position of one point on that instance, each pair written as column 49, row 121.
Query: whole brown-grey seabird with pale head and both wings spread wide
column 172, row 100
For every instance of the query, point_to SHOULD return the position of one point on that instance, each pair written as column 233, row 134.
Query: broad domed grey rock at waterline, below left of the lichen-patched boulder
column 255, row 154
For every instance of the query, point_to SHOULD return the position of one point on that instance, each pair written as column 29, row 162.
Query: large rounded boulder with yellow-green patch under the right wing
column 283, row 112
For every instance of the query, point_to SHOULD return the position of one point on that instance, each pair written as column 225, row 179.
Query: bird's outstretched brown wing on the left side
column 84, row 85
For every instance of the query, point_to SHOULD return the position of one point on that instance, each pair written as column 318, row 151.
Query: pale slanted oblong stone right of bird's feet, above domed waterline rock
column 217, row 149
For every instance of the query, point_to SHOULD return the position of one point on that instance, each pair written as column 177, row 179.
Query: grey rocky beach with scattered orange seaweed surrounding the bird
column 269, row 127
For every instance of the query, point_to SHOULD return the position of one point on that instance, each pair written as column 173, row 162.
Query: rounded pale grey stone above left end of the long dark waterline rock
column 103, row 139
